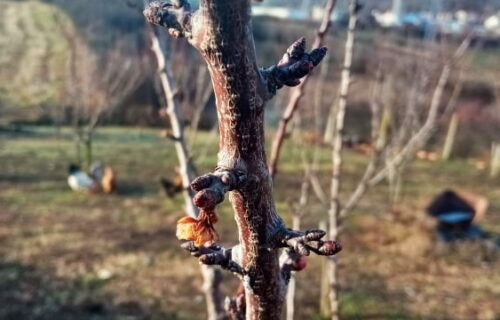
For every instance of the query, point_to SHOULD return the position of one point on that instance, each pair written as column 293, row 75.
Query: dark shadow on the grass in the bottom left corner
column 29, row 293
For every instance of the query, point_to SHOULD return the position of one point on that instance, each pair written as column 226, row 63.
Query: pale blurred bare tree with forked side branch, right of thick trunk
column 376, row 170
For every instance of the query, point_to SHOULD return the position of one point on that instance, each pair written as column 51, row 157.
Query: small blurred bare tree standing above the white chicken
column 99, row 83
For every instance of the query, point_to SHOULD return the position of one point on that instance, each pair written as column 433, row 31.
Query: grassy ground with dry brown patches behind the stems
column 68, row 255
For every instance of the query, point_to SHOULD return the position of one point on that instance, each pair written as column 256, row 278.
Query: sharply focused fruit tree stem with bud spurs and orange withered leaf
column 222, row 33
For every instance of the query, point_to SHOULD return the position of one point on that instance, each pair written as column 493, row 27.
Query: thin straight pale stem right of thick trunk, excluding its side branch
column 334, row 214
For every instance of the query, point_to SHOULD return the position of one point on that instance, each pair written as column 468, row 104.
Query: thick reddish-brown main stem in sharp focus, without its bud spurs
column 228, row 49
